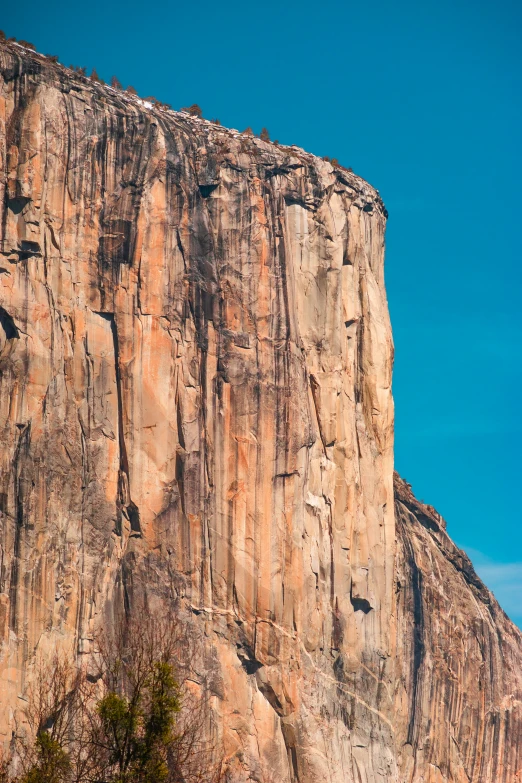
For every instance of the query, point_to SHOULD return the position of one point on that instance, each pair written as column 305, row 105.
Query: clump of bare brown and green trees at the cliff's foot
column 127, row 719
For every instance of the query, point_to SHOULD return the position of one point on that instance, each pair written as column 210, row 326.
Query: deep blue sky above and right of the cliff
column 424, row 100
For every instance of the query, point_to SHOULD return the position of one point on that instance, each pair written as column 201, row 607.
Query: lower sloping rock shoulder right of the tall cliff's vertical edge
column 458, row 659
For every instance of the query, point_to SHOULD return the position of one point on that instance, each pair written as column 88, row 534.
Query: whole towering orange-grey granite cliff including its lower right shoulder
column 196, row 415
